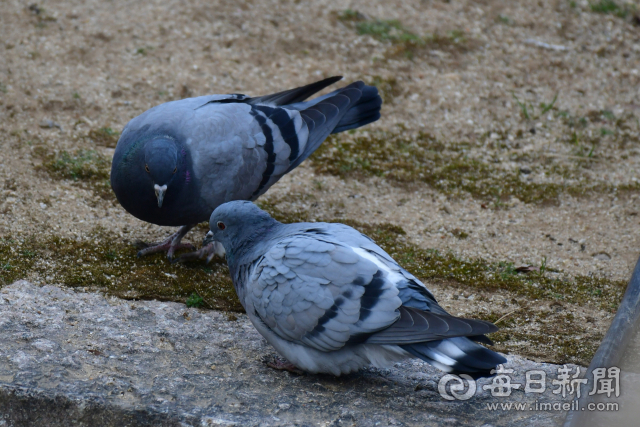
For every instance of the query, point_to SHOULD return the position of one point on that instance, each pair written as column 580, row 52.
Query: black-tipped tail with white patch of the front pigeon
column 458, row 354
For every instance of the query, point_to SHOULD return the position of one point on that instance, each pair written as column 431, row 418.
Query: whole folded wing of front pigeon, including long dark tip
column 313, row 290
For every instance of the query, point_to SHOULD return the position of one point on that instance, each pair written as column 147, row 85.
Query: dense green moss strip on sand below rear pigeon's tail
column 445, row 167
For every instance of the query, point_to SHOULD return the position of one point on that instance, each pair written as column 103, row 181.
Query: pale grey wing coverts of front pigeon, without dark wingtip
column 314, row 291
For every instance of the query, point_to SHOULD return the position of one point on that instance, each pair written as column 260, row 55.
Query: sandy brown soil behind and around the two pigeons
column 72, row 68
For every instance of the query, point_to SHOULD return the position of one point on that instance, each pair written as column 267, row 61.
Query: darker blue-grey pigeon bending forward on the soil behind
column 175, row 163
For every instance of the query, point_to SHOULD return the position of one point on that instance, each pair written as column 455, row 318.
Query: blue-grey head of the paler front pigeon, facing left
column 238, row 223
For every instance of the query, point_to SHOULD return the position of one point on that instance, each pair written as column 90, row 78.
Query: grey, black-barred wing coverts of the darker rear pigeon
column 239, row 150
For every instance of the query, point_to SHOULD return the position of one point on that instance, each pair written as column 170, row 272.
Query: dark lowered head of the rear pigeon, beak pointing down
column 161, row 164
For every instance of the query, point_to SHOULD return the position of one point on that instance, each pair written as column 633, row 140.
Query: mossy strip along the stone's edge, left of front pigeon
column 103, row 263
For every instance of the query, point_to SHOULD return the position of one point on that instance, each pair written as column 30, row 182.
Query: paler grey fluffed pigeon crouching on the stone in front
column 330, row 300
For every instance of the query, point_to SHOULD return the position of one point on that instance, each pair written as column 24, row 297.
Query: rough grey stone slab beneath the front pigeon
column 82, row 359
